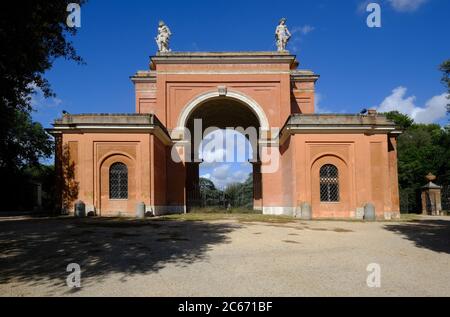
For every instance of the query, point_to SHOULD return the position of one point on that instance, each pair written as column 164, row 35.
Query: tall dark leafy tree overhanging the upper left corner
column 32, row 35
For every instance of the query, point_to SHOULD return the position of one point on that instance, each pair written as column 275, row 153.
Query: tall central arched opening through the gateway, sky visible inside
column 223, row 171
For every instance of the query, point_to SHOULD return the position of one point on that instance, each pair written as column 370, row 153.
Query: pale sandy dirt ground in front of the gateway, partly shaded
column 223, row 258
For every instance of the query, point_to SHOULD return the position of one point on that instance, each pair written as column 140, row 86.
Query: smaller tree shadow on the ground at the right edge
column 429, row 234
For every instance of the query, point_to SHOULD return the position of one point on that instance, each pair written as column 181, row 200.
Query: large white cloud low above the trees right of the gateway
column 433, row 111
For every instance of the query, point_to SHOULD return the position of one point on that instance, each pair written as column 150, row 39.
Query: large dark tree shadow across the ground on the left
column 34, row 250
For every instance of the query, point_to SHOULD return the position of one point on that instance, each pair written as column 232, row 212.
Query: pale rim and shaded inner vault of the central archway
column 223, row 113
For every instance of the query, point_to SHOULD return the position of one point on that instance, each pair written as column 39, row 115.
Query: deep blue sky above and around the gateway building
column 392, row 66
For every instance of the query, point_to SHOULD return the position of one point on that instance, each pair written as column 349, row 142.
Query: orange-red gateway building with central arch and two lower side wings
column 334, row 163
